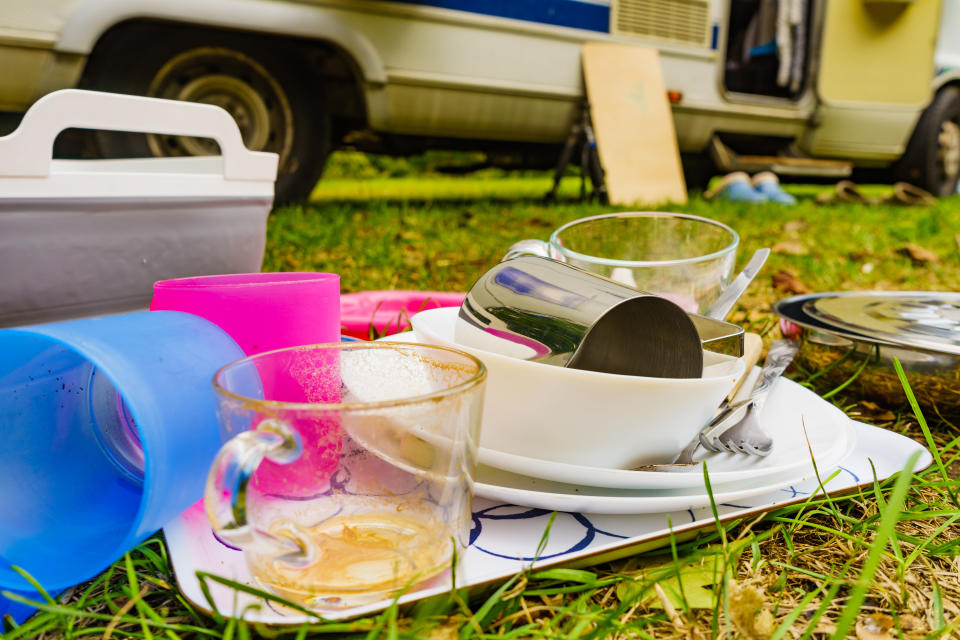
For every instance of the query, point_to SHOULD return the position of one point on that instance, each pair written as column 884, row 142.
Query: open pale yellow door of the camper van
column 873, row 77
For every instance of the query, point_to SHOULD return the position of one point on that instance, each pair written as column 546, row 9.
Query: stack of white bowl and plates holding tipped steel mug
column 568, row 403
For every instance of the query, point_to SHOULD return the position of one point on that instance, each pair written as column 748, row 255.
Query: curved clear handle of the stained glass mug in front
column 226, row 495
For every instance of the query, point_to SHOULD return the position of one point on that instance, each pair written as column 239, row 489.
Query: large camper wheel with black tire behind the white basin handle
column 262, row 83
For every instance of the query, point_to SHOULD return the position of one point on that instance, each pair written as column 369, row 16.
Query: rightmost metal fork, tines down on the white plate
column 738, row 430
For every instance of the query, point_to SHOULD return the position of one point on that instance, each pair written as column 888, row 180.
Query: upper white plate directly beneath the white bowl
column 789, row 409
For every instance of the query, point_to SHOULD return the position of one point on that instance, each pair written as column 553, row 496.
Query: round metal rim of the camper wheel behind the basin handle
column 234, row 82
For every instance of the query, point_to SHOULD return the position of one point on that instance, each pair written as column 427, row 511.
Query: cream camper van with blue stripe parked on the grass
column 803, row 87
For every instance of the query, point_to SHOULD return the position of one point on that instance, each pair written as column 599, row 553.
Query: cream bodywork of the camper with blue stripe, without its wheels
column 510, row 71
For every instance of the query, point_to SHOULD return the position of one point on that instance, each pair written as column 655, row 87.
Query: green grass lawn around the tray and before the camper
column 809, row 570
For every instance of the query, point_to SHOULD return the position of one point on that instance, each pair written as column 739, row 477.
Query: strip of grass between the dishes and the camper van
column 437, row 233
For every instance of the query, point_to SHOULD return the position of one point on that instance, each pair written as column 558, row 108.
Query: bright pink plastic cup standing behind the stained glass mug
column 264, row 312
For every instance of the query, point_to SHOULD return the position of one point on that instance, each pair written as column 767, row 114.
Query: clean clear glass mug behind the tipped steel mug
column 685, row 258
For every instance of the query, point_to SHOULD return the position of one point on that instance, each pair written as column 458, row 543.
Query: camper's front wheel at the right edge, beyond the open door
column 932, row 158
